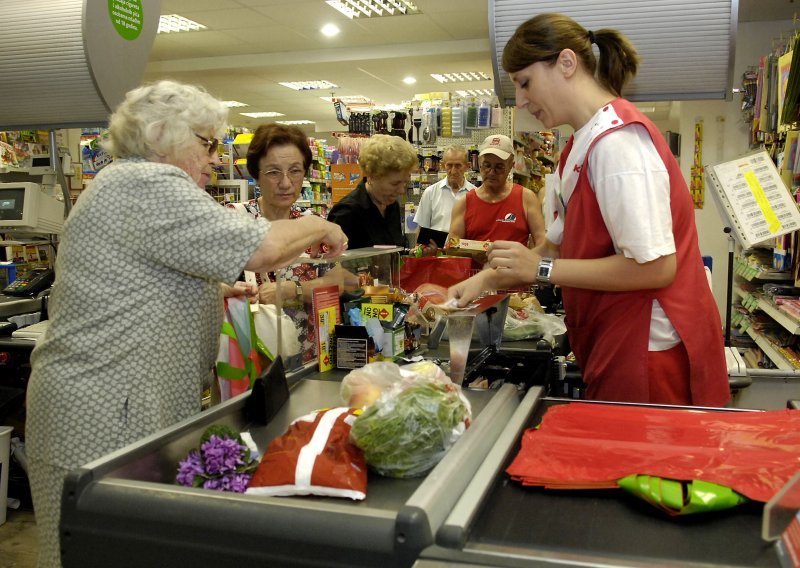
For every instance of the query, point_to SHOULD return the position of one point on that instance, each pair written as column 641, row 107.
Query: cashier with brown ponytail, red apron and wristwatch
column 640, row 316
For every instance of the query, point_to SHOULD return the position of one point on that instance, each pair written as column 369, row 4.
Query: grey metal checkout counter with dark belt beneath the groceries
column 125, row 509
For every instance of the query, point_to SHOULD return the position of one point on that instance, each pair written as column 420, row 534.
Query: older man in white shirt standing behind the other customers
column 436, row 205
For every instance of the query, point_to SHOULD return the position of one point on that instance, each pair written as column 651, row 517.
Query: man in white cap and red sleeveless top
column 498, row 210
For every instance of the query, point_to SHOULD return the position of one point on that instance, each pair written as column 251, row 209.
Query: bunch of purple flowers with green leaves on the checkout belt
column 222, row 463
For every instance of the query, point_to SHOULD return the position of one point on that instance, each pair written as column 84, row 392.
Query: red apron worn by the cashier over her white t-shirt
column 609, row 331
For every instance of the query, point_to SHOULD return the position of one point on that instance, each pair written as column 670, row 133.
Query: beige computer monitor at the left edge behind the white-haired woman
column 25, row 208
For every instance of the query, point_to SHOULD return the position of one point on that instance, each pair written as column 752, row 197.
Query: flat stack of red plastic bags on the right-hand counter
column 581, row 445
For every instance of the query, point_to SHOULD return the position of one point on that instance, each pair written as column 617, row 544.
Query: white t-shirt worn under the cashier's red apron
column 631, row 184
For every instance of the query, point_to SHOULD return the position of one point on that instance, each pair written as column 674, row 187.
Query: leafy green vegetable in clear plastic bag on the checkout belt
column 406, row 434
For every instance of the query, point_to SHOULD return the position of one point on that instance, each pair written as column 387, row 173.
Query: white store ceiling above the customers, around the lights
column 250, row 46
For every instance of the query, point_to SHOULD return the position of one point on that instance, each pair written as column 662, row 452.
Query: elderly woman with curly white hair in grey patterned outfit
column 136, row 306
